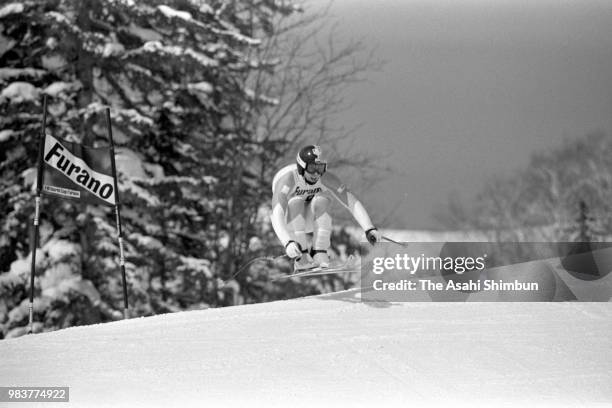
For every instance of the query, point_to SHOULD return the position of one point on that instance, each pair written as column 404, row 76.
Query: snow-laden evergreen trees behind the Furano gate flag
column 173, row 73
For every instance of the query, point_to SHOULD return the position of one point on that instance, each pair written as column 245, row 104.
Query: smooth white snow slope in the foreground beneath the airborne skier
column 330, row 350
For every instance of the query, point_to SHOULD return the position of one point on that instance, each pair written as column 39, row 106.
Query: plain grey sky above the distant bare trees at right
column 472, row 88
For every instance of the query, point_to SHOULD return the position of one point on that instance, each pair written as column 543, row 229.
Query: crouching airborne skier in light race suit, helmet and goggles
column 301, row 196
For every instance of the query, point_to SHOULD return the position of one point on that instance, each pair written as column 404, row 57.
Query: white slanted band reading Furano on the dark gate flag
column 60, row 158
